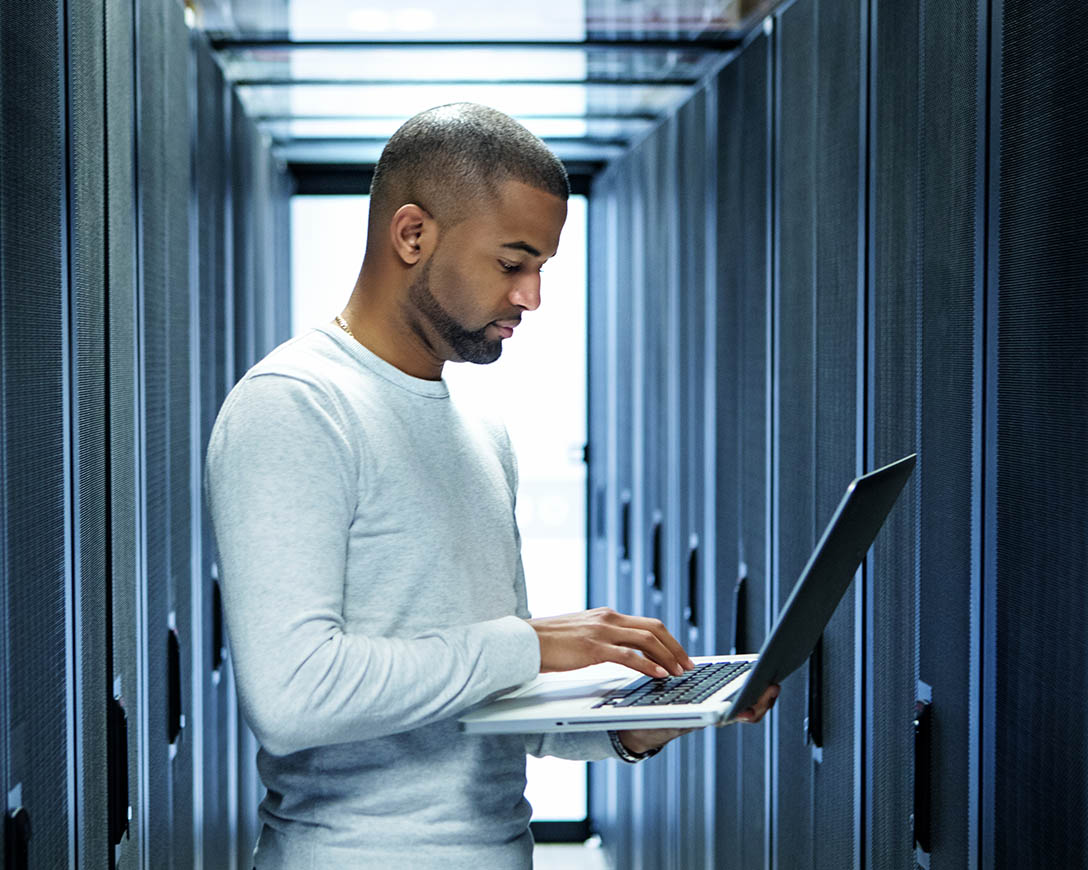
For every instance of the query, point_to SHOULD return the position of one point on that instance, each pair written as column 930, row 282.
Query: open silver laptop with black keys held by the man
column 611, row 698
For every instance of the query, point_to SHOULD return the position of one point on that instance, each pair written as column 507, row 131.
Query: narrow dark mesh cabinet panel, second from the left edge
column 88, row 416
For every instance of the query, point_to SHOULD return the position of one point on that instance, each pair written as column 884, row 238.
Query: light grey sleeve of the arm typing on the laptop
column 283, row 481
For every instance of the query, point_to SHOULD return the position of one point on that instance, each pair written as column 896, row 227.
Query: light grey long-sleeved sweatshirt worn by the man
column 373, row 587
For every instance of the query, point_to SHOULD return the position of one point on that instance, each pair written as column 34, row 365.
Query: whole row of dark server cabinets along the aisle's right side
column 899, row 268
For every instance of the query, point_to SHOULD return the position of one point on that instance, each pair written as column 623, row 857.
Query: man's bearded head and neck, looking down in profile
column 466, row 208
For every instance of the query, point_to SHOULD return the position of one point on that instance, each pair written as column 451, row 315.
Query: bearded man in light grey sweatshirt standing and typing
column 370, row 558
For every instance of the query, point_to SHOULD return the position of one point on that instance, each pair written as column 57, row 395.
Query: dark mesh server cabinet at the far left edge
column 35, row 359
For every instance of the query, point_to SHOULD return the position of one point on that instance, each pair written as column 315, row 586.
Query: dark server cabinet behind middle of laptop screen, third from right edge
column 820, row 208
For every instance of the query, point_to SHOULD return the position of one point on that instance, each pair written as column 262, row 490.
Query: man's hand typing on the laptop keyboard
column 595, row 637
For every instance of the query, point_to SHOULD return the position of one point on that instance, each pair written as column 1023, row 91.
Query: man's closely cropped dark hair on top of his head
column 451, row 157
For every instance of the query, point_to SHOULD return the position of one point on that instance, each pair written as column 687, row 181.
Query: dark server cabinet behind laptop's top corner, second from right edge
column 923, row 386
